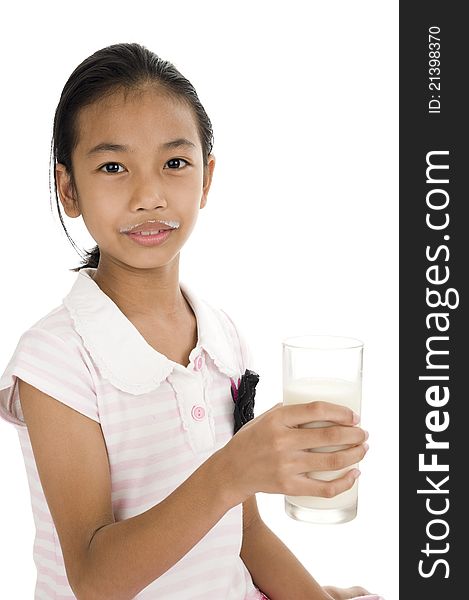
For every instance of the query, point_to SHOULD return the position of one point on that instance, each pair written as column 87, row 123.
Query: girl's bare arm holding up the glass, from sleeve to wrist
column 106, row 559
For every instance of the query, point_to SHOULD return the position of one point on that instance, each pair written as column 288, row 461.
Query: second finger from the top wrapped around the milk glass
column 317, row 437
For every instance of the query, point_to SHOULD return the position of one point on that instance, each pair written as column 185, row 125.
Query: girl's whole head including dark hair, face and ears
column 134, row 103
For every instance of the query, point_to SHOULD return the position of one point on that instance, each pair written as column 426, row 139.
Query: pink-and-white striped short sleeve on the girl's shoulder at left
column 54, row 366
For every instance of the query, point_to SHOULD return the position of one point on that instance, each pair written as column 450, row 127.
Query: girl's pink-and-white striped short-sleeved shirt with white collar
column 160, row 421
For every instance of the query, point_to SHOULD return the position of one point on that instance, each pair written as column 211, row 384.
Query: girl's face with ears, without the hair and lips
column 117, row 188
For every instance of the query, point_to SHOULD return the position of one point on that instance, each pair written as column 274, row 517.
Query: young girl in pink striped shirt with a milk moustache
column 123, row 395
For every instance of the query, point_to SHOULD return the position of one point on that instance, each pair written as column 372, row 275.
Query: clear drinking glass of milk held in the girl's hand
column 329, row 368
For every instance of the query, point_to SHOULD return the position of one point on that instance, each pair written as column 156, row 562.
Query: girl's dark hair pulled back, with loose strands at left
column 124, row 67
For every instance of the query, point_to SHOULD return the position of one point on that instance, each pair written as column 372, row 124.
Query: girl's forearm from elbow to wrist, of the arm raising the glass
column 126, row 556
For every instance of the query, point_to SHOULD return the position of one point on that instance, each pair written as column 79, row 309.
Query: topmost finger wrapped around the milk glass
column 293, row 415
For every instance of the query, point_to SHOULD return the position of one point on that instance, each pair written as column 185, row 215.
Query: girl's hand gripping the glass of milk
column 271, row 454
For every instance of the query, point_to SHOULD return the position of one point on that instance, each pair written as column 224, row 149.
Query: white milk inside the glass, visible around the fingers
column 337, row 391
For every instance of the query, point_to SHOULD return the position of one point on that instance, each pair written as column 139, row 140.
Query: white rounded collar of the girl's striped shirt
column 123, row 355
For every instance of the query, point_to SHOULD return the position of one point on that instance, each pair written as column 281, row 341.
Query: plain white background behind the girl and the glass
column 299, row 235
